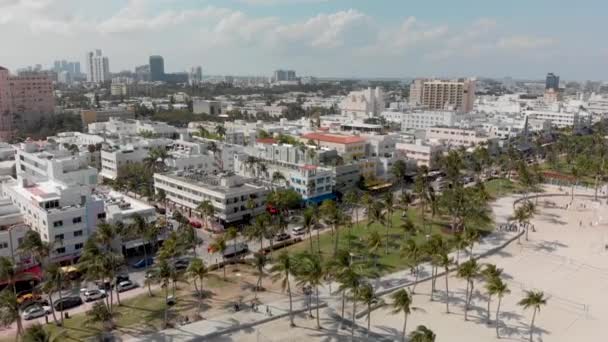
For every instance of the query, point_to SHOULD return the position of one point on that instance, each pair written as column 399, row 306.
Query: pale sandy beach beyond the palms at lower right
column 568, row 263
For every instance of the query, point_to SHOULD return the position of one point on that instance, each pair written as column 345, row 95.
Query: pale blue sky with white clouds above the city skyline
column 323, row 38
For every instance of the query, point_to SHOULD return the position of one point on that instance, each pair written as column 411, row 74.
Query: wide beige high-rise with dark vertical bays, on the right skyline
column 458, row 95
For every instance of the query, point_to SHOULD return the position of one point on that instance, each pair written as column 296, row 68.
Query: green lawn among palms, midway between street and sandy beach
column 393, row 260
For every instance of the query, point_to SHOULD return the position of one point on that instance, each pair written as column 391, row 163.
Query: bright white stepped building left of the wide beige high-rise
column 363, row 104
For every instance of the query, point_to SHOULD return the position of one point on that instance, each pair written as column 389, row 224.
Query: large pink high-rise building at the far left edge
column 23, row 101
